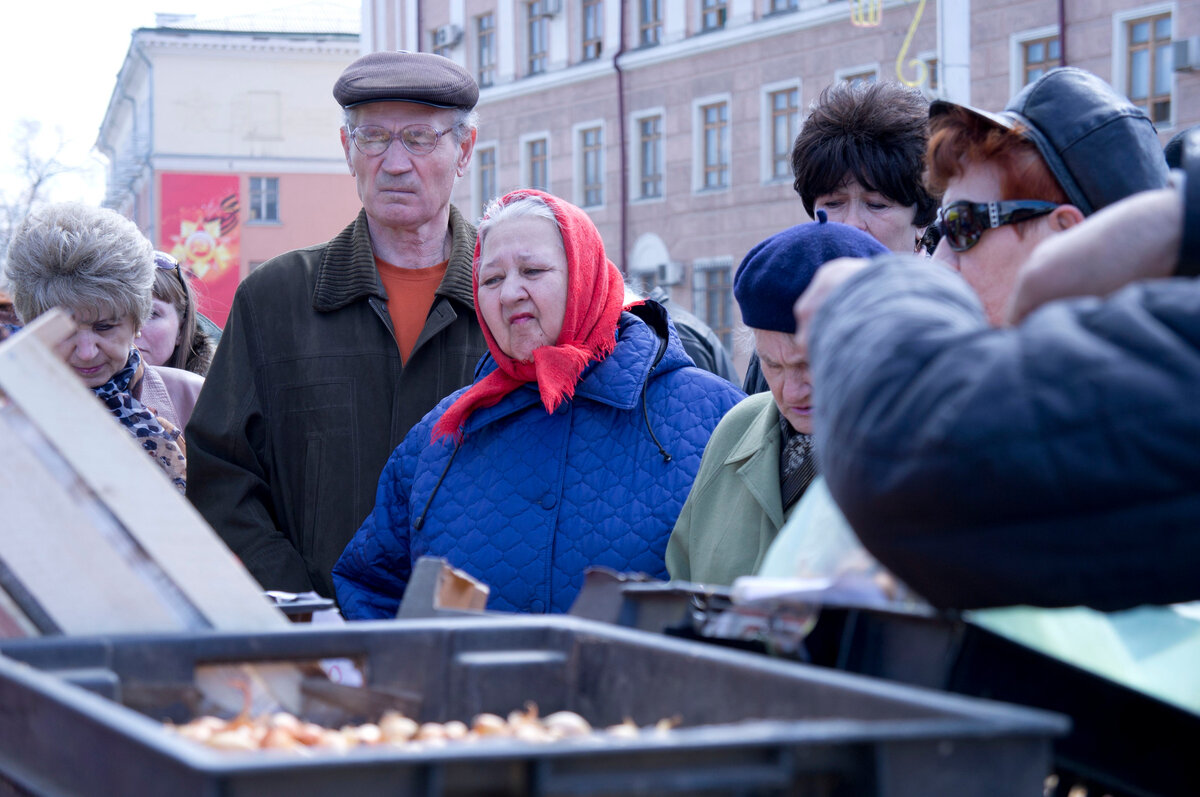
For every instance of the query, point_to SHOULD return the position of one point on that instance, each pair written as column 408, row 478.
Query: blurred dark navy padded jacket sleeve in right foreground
column 1054, row 464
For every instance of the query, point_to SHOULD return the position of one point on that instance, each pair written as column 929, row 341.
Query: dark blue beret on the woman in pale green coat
column 776, row 273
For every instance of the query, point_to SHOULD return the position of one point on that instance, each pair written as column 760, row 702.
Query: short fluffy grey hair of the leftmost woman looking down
column 79, row 257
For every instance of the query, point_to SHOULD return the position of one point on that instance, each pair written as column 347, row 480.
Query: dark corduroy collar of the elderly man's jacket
column 347, row 272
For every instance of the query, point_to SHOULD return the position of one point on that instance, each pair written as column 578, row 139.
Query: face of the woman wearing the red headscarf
column 523, row 285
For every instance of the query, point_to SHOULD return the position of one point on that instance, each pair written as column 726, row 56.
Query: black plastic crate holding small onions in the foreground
column 751, row 726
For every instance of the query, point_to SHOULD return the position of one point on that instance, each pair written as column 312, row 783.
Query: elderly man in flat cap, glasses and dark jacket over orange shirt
column 334, row 352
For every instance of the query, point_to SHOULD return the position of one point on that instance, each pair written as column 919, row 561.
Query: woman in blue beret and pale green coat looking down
column 760, row 460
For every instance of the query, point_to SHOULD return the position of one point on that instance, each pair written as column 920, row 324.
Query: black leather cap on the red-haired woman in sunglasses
column 1099, row 146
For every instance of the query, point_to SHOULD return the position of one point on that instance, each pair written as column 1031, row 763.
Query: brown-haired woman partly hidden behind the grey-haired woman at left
column 173, row 335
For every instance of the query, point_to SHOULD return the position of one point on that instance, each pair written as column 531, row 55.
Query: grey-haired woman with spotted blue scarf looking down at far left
column 99, row 267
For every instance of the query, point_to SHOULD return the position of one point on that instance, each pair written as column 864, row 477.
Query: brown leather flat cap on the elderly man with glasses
column 406, row 77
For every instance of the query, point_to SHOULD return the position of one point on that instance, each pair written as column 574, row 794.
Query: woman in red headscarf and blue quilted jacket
column 575, row 447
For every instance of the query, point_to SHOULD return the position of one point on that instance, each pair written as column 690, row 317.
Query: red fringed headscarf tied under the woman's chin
column 595, row 299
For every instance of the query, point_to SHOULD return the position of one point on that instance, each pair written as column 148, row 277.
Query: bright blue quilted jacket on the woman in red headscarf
column 530, row 500
